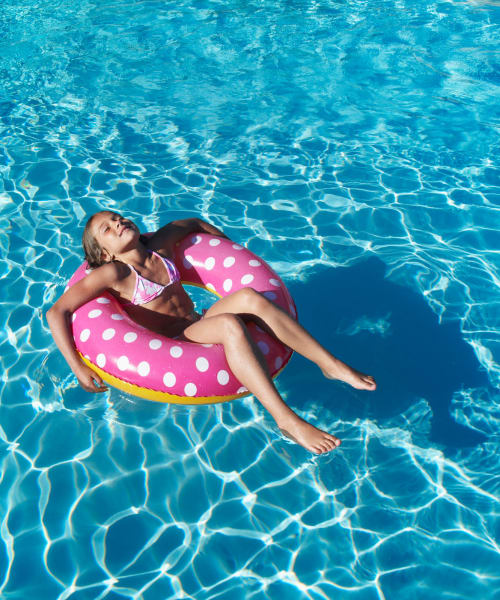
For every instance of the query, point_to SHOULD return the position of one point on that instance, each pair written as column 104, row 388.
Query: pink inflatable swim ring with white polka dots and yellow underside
column 146, row 364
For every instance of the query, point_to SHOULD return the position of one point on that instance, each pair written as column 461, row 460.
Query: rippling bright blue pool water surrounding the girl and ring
column 354, row 146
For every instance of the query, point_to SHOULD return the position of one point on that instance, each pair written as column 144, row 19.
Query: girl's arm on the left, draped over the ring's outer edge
column 59, row 320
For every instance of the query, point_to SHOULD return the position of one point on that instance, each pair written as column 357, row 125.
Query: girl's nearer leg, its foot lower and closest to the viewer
column 248, row 365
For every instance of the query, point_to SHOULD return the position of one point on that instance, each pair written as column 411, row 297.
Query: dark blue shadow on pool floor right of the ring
column 415, row 357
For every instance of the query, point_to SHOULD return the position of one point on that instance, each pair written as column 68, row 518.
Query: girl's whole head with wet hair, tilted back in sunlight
column 105, row 235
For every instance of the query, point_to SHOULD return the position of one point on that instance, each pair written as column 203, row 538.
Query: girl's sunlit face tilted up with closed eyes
column 114, row 233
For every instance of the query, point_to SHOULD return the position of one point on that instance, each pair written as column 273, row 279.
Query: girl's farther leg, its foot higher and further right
column 252, row 305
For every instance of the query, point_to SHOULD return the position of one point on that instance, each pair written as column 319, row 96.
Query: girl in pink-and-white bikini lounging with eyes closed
column 122, row 260
